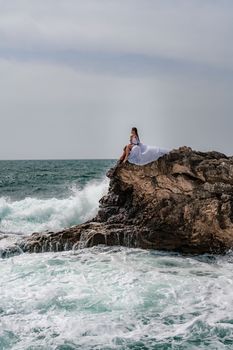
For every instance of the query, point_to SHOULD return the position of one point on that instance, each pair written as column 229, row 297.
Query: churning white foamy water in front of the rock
column 116, row 298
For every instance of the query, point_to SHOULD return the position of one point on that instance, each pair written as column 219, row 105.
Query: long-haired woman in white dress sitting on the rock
column 137, row 153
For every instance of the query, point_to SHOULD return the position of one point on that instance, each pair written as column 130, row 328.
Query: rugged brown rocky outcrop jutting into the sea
column 181, row 202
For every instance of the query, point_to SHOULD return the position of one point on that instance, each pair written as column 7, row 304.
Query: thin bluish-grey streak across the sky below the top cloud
column 121, row 63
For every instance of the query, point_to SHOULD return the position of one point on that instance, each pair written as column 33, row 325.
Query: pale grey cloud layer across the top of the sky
column 195, row 30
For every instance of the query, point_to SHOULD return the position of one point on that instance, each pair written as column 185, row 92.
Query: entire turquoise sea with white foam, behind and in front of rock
column 100, row 298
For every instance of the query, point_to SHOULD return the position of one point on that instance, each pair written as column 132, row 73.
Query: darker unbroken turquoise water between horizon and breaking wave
column 48, row 178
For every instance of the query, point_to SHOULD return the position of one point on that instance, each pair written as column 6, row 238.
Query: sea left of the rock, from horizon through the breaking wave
column 37, row 196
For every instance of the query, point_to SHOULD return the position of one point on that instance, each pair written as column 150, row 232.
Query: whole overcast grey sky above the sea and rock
column 76, row 75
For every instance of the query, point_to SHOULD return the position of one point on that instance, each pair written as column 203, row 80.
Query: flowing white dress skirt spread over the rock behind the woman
column 142, row 154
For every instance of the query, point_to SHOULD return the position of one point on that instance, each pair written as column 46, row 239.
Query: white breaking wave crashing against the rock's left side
column 37, row 215
